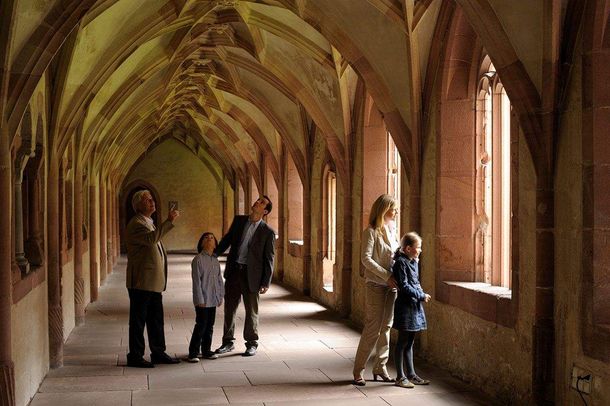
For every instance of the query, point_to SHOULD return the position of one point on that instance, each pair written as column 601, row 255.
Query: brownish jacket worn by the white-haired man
column 146, row 264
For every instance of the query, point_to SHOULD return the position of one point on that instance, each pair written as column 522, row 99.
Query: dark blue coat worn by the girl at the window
column 408, row 309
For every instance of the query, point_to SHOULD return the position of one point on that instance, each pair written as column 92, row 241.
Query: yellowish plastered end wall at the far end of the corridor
column 177, row 174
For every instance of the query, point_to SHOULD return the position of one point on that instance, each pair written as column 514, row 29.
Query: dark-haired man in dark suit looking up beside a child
column 248, row 272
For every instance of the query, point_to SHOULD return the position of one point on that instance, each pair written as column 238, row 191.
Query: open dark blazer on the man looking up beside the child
column 261, row 252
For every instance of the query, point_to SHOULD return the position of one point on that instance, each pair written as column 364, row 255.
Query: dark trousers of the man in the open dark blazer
column 236, row 287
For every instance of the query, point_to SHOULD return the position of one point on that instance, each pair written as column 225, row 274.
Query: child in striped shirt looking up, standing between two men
column 208, row 292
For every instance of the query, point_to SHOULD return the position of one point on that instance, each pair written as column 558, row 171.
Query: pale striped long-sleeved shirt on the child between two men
column 208, row 286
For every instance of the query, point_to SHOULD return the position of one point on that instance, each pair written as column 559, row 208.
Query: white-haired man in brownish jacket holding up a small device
column 146, row 279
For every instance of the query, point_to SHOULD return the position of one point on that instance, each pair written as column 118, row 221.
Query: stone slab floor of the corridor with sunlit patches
column 305, row 357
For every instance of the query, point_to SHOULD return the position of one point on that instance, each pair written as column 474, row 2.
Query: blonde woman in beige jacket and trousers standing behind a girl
column 379, row 241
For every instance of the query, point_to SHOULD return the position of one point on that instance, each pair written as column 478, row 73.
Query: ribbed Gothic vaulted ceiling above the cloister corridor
column 239, row 80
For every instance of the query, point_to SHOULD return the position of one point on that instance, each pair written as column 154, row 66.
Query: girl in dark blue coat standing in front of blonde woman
column 409, row 316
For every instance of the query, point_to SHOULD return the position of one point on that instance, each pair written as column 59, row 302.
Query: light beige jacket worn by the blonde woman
column 376, row 256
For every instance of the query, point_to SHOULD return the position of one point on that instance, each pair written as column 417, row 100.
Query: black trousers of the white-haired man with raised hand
column 145, row 309
